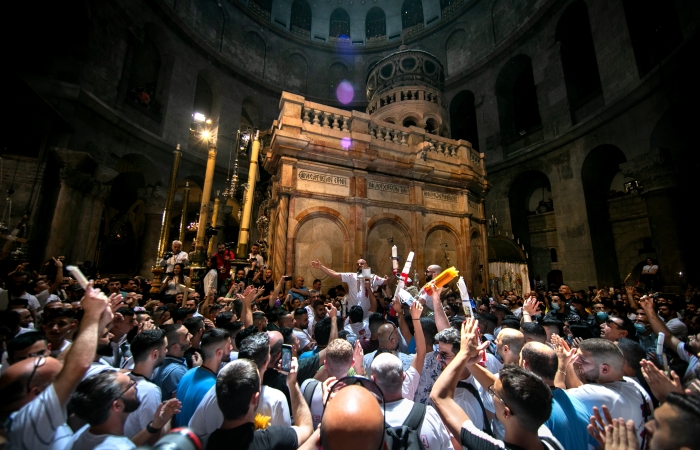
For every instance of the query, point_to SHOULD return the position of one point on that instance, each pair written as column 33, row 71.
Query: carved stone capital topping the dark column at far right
column 654, row 170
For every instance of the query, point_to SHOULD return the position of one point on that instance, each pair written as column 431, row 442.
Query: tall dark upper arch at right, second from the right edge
column 578, row 60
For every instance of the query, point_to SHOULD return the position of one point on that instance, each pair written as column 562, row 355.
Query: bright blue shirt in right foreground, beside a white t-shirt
column 568, row 421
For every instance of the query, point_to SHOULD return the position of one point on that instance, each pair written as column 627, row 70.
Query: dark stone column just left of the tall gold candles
column 154, row 198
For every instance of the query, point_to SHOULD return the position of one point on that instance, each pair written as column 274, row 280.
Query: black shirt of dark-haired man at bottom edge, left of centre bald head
column 246, row 438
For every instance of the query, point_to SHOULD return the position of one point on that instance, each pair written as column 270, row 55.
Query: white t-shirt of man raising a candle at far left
column 40, row 424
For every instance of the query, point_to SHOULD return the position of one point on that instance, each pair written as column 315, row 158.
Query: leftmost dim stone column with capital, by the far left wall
column 66, row 213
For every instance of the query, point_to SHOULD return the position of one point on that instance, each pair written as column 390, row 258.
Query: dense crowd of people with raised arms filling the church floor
column 249, row 359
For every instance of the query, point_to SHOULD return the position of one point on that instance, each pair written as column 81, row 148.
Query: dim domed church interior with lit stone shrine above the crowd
column 507, row 138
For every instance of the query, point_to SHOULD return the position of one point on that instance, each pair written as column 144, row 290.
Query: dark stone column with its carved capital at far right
column 658, row 174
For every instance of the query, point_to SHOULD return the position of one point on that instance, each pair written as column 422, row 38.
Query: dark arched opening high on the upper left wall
column 142, row 87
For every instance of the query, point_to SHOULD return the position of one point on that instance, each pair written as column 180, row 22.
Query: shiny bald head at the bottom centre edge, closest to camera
column 353, row 419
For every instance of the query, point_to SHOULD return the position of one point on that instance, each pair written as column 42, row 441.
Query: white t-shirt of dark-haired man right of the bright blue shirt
column 624, row 399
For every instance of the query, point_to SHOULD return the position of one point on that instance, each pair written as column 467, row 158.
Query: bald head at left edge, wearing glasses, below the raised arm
column 13, row 383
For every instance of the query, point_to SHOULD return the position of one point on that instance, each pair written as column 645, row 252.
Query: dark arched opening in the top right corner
column 654, row 30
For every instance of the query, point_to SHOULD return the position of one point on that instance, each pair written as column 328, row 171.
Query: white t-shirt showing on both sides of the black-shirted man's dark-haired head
column 207, row 418
